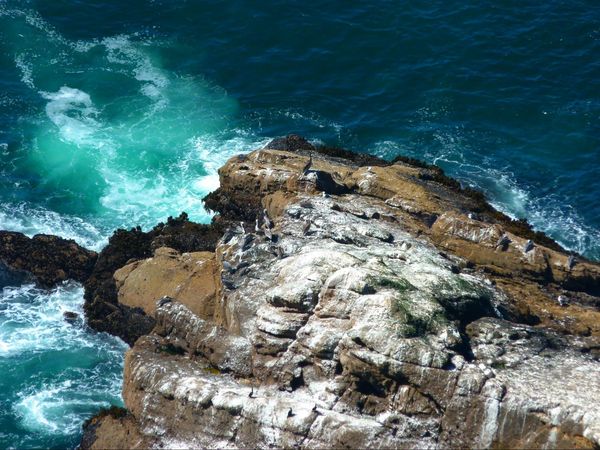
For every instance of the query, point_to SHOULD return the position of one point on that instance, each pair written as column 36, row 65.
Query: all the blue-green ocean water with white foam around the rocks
column 119, row 113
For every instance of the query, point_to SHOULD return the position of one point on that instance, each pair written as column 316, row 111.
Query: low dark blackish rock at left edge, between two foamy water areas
column 47, row 260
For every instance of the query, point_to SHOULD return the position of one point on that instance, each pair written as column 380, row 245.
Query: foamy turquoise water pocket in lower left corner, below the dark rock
column 53, row 373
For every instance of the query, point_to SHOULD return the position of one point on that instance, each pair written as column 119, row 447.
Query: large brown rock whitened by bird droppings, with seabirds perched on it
column 379, row 305
